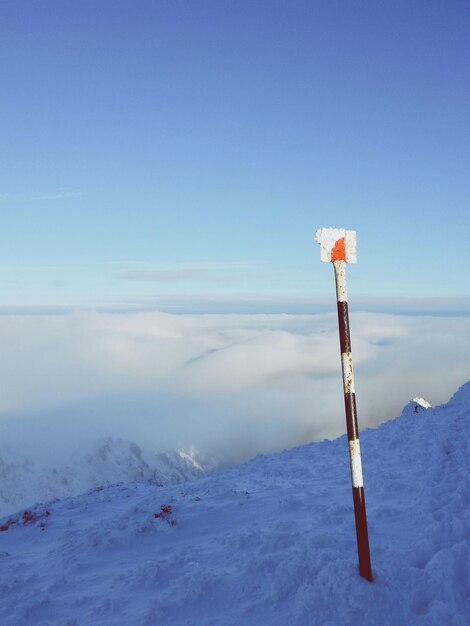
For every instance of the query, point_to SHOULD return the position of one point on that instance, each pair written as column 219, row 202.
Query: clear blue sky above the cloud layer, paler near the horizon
column 181, row 155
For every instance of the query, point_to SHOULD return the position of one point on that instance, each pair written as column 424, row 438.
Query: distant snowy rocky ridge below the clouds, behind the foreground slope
column 25, row 480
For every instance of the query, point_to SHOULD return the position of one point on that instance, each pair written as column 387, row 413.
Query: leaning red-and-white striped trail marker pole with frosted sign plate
column 338, row 246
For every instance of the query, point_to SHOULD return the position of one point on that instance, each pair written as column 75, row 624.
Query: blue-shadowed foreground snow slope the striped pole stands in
column 270, row 542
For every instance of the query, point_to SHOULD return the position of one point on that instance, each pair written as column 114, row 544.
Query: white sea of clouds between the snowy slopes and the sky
column 234, row 385
